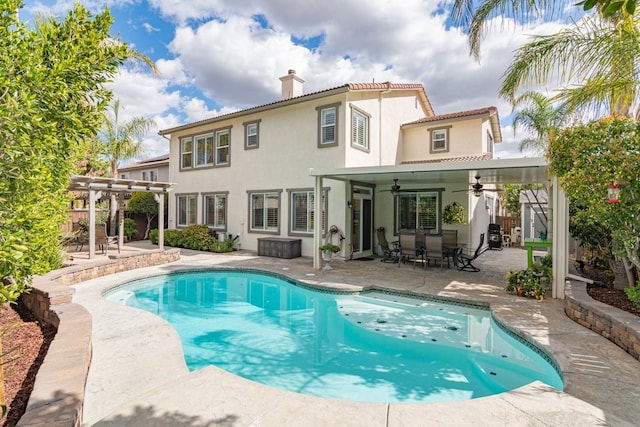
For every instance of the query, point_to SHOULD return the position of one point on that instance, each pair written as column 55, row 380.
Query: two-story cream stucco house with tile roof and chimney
column 250, row 173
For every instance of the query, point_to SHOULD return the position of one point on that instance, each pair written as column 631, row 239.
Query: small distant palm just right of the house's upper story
column 539, row 118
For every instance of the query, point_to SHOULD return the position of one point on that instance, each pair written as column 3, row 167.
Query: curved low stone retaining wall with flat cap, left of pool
column 58, row 393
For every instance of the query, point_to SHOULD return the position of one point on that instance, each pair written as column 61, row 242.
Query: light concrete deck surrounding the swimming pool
column 138, row 376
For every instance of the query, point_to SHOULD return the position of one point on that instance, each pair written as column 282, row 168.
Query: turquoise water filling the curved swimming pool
column 373, row 347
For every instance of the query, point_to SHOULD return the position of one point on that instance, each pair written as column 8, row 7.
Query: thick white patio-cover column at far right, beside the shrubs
column 560, row 249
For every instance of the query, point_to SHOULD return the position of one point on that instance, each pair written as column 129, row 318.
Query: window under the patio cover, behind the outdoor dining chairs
column 418, row 211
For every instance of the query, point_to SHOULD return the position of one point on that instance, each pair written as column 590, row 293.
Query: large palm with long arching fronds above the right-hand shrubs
column 602, row 54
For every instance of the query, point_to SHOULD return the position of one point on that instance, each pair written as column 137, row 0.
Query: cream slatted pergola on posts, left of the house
column 96, row 186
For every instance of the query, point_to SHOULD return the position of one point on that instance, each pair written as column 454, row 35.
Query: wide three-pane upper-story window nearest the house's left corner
column 211, row 149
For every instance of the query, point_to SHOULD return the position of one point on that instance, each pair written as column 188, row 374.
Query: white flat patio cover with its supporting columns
column 461, row 174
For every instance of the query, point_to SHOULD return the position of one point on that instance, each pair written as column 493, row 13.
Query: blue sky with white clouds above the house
column 218, row 56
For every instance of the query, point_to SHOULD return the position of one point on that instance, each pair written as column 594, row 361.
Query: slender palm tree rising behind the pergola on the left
column 121, row 141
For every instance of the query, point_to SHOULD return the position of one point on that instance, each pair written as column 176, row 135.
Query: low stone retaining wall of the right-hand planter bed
column 616, row 325
